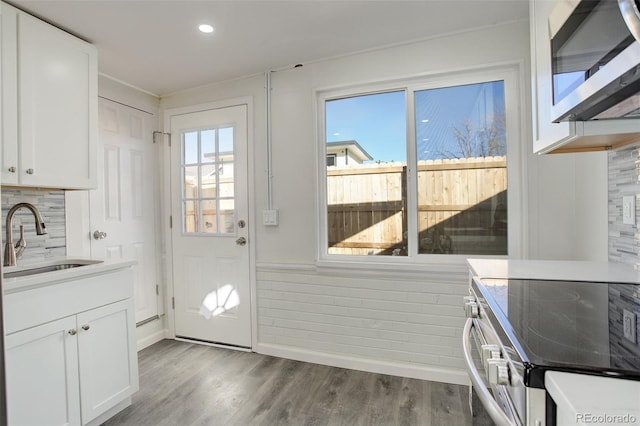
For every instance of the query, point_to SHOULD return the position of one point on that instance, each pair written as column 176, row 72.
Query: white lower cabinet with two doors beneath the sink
column 74, row 364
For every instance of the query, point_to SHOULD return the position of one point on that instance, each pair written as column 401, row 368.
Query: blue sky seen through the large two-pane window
column 378, row 122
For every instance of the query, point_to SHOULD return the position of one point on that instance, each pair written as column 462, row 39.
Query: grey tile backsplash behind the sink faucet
column 51, row 205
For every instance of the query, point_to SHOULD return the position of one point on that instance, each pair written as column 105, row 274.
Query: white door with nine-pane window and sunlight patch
column 210, row 229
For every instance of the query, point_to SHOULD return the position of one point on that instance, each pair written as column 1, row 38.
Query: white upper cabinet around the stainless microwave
column 564, row 136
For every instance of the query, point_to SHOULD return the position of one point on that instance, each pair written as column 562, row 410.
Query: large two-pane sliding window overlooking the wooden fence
column 427, row 168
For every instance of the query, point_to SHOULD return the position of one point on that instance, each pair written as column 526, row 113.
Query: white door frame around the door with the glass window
column 165, row 196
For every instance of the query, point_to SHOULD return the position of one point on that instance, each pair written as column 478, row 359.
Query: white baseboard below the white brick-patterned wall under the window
column 435, row 374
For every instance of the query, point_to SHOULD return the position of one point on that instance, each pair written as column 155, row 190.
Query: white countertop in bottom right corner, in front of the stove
column 583, row 400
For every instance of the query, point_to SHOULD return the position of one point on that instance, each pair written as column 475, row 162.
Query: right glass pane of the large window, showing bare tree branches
column 462, row 169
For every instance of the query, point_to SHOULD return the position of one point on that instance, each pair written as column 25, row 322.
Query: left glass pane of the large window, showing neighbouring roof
column 366, row 174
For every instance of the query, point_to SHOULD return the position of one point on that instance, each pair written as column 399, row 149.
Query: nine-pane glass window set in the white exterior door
column 208, row 181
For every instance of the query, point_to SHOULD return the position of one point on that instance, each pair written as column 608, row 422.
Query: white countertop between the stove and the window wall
column 569, row 270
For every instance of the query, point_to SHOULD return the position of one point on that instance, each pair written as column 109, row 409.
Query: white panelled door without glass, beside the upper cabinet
column 124, row 207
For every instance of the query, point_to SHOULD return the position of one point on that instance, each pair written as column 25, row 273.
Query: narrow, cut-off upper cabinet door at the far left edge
column 9, row 90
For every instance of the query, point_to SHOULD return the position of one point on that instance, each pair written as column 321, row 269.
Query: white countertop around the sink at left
column 91, row 266
